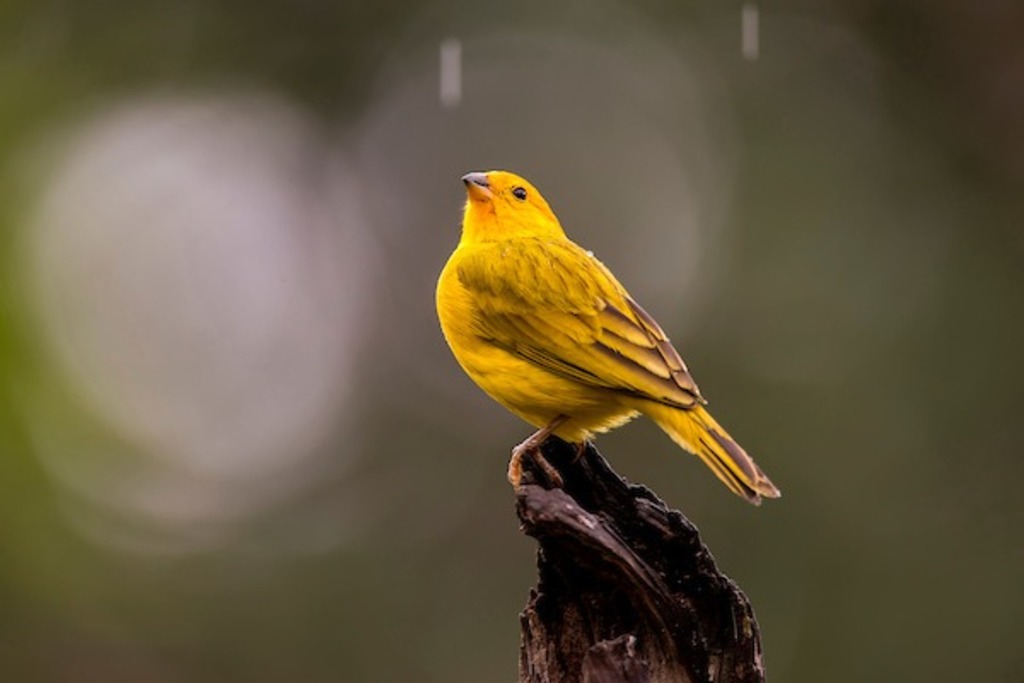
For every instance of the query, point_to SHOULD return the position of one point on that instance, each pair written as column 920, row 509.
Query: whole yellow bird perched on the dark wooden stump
column 548, row 332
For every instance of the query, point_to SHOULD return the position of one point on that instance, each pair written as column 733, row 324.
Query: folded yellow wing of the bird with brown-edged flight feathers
column 558, row 307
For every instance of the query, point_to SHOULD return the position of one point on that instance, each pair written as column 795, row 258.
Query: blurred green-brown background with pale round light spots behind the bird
column 235, row 448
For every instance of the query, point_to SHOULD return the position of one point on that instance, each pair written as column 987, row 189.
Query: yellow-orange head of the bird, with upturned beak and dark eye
column 502, row 206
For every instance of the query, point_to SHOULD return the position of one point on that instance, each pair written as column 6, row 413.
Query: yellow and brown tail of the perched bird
column 697, row 432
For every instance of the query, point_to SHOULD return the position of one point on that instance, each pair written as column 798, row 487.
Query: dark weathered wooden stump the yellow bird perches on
column 627, row 590
